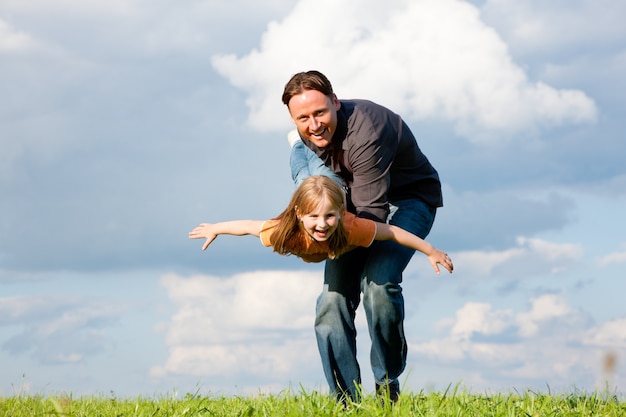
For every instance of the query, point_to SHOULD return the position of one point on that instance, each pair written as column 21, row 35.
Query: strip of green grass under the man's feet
column 287, row 404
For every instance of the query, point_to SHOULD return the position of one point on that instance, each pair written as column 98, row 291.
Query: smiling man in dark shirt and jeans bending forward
column 388, row 179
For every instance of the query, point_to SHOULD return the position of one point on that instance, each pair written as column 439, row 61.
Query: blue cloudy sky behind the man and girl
column 125, row 123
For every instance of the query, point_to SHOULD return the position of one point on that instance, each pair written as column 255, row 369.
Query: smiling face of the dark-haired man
column 315, row 116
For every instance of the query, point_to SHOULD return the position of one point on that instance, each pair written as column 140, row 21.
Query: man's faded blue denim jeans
column 376, row 272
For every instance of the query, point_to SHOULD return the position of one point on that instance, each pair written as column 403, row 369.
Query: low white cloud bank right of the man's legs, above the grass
column 555, row 344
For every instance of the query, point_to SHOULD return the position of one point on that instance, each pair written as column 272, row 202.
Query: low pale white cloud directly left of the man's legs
column 258, row 323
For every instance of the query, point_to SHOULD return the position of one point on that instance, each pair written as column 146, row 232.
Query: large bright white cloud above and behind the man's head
column 424, row 59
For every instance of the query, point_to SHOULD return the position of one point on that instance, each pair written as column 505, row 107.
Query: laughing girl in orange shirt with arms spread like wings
column 316, row 226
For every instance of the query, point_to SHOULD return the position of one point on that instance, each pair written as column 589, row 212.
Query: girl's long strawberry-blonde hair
column 289, row 236
